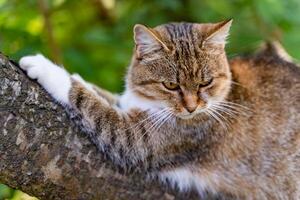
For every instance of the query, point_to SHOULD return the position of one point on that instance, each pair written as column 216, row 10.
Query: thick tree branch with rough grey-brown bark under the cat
column 44, row 153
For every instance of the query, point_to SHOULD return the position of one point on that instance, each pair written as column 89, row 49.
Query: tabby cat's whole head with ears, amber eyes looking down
column 182, row 67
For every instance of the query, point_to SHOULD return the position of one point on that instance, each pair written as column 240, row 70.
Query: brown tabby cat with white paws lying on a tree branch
column 190, row 116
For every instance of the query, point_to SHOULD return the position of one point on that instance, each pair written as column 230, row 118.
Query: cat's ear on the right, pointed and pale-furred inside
column 218, row 33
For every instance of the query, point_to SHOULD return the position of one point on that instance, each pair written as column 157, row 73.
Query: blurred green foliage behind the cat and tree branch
column 94, row 37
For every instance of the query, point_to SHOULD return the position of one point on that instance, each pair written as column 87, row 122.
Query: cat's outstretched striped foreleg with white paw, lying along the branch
column 125, row 137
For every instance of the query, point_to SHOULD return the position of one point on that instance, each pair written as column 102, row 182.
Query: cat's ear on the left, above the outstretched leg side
column 146, row 40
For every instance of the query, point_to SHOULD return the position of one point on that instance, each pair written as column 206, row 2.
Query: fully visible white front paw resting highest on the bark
column 52, row 77
